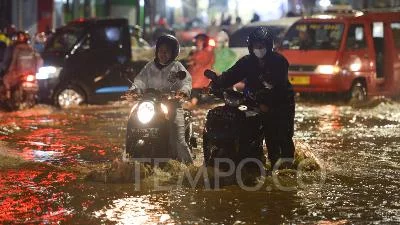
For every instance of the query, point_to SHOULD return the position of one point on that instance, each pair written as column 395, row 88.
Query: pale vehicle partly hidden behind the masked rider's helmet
column 238, row 40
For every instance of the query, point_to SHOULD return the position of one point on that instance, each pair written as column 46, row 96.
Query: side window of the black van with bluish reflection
column 107, row 37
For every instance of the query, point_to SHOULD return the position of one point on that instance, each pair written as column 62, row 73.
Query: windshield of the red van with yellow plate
column 315, row 36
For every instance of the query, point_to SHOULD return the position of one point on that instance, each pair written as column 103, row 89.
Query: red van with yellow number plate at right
column 355, row 53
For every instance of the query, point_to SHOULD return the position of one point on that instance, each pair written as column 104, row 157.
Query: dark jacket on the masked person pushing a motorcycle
column 275, row 73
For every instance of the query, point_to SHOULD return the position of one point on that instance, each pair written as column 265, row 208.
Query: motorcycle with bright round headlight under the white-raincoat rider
column 147, row 133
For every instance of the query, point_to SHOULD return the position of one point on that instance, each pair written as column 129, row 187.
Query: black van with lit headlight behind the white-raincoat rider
column 78, row 60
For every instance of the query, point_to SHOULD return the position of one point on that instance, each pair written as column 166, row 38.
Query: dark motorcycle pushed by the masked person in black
column 232, row 131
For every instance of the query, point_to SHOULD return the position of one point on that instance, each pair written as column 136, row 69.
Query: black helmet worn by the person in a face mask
column 263, row 35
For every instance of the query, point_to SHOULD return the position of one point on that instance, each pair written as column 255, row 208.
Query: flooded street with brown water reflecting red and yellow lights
column 358, row 148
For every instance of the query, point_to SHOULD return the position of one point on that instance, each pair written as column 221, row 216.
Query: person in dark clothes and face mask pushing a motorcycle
column 265, row 73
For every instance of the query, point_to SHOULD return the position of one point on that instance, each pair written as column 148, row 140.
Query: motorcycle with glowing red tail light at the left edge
column 23, row 94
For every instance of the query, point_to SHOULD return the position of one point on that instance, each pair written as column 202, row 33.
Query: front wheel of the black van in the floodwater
column 69, row 96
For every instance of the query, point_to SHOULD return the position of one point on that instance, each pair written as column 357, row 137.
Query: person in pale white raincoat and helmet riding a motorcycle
column 157, row 74
